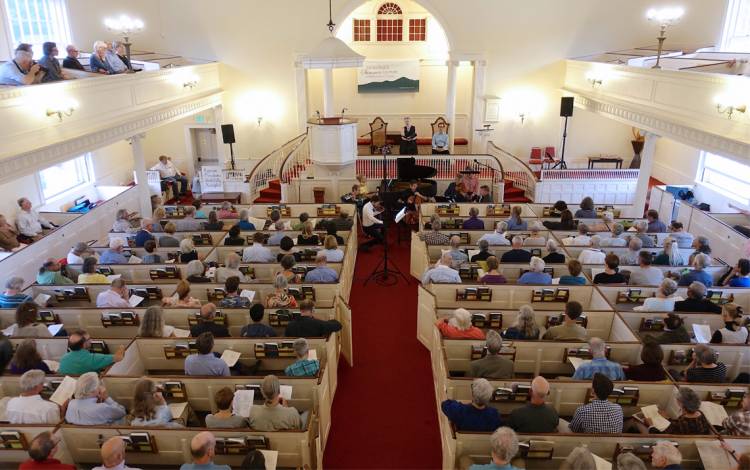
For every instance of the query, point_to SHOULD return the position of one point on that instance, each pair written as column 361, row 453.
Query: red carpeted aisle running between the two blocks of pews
column 384, row 410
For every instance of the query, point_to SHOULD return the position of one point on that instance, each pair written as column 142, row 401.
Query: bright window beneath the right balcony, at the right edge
column 726, row 176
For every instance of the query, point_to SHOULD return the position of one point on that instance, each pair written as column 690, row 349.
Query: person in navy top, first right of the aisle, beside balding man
column 476, row 416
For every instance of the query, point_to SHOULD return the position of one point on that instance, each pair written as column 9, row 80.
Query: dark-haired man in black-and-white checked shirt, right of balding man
column 598, row 416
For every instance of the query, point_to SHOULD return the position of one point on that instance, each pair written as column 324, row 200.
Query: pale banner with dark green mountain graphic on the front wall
column 388, row 76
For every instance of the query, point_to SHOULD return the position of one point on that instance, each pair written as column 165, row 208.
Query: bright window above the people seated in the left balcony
column 36, row 22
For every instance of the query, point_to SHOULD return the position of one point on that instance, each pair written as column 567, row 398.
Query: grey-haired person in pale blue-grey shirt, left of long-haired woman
column 92, row 406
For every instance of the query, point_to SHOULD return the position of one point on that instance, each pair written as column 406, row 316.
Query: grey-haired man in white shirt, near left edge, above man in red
column 30, row 407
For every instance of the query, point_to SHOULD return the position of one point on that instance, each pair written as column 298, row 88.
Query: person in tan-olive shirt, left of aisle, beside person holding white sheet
column 275, row 414
